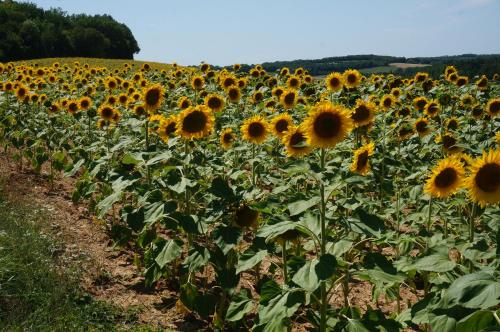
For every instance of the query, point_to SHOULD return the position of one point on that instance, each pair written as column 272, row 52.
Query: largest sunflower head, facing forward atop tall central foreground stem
column 327, row 124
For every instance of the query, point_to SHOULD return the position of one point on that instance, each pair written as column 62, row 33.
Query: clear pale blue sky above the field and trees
column 255, row 31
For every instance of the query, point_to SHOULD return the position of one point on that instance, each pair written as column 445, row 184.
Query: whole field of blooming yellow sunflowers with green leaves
column 265, row 200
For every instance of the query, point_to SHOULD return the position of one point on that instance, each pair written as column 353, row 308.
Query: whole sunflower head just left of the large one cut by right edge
column 446, row 178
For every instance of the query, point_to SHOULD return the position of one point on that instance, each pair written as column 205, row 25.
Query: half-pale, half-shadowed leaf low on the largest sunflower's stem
column 309, row 276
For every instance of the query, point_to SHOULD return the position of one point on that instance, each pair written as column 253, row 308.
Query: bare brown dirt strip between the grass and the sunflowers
column 110, row 274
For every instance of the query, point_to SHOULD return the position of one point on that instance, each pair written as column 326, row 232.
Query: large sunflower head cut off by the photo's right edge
column 483, row 184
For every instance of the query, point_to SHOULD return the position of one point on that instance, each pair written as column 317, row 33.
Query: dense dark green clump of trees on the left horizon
column 29, row 32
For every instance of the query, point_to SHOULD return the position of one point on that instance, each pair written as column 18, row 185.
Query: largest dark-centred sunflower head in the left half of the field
column 195, row 122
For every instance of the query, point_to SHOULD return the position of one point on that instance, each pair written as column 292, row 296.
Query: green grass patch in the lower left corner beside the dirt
column 36, row 292
